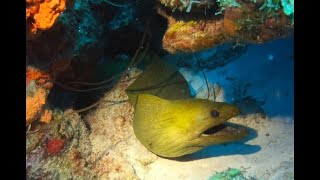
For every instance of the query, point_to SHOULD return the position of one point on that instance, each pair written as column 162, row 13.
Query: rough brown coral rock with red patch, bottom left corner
column 60, row 150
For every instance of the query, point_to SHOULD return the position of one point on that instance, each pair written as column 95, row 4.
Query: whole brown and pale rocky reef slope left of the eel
column 111, row 151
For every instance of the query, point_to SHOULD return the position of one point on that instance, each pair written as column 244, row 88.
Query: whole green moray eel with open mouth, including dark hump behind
column 169, row 122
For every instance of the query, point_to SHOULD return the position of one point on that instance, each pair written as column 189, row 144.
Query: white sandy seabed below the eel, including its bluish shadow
column 266, row 155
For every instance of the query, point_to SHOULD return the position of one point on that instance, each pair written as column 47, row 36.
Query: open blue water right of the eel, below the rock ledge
column 269, row 69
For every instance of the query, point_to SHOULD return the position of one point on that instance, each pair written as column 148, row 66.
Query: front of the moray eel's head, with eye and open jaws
column 212, row 126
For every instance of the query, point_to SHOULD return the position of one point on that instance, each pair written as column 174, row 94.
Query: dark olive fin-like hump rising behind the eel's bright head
column 159, row 79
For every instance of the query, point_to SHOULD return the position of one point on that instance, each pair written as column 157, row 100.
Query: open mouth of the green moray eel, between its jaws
column 224, row 129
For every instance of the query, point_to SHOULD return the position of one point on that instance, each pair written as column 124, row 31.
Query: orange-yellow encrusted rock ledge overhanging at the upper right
column 241, row 23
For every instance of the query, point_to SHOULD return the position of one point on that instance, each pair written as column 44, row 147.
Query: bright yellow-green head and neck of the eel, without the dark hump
column 174, row 128
